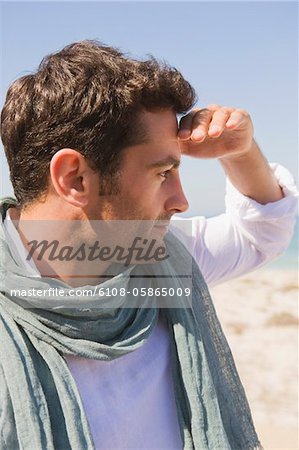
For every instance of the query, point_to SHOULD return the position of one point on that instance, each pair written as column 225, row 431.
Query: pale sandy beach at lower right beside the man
column 259, row 314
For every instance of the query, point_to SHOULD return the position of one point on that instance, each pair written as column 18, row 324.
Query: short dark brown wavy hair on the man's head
column 87, row 97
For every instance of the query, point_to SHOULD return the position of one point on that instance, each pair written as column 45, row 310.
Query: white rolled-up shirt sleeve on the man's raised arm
column 247, row 235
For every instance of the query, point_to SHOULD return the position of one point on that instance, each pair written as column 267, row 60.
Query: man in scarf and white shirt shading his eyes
column 93, row 136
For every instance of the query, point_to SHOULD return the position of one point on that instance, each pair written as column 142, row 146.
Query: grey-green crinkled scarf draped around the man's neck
column 41, row 405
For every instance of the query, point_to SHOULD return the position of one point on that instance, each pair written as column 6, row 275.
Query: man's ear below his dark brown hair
column 71, row 177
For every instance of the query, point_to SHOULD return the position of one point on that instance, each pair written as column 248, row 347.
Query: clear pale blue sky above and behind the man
column 241, row 54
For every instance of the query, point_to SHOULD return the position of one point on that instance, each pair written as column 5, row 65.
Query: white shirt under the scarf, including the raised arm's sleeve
column 129, row 402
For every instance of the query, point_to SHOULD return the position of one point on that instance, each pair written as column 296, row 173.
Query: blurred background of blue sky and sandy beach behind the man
column 241, row 54
